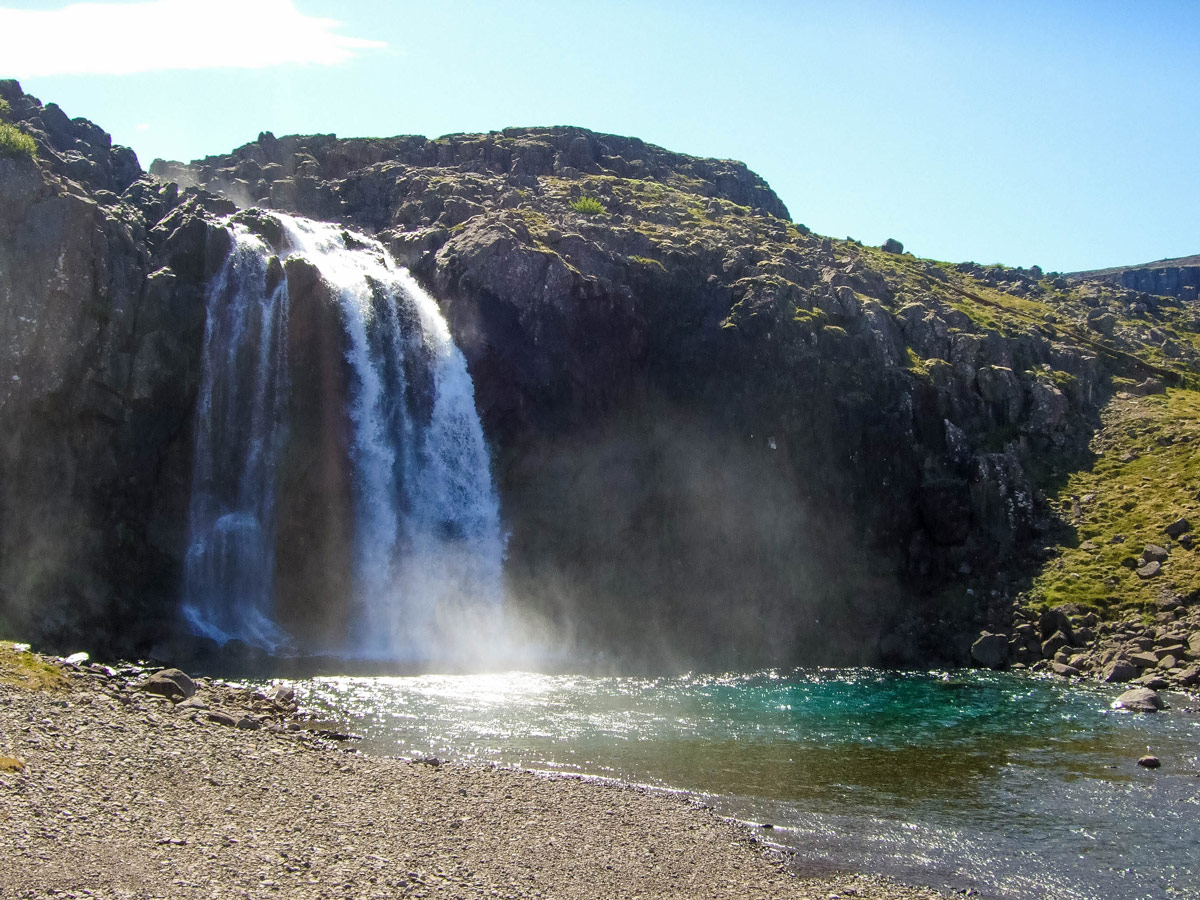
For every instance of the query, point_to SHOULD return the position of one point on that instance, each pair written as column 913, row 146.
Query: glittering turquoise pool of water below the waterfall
column 1012, row 787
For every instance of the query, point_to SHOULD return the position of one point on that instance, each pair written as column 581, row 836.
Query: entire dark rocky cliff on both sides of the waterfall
column 719, row 439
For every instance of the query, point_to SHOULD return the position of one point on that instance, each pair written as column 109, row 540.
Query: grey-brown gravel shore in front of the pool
column 110, row 791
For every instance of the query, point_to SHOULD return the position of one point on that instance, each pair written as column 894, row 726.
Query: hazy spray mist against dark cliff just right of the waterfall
column 656, row 541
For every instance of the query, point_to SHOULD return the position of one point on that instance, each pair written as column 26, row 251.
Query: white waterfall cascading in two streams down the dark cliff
column 427, row 538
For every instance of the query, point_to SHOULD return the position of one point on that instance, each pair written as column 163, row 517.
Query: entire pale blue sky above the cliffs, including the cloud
column 1057, row 134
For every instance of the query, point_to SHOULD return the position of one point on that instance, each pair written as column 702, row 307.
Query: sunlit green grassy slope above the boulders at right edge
column 1145, row 477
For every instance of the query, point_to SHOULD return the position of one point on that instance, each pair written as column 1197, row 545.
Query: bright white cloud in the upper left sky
column 158, row 35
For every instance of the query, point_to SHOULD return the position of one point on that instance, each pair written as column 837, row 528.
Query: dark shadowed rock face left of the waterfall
column 103, row 310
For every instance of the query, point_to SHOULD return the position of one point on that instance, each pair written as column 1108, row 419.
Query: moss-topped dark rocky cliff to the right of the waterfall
column 718, row 436
